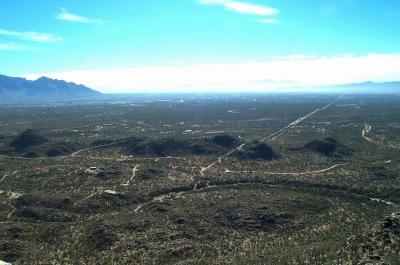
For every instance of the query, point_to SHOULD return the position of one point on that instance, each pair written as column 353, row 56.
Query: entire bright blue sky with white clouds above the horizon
column 125, row 46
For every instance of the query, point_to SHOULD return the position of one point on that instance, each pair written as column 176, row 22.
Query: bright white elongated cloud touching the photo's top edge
column 243, row 7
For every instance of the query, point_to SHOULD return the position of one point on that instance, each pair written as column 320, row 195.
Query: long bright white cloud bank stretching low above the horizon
column 296, row 70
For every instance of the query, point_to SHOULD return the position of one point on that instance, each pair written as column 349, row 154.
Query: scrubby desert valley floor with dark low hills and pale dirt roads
column 202, row 179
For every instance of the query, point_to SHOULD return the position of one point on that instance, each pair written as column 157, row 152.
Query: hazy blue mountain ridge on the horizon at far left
column 20, row 90
